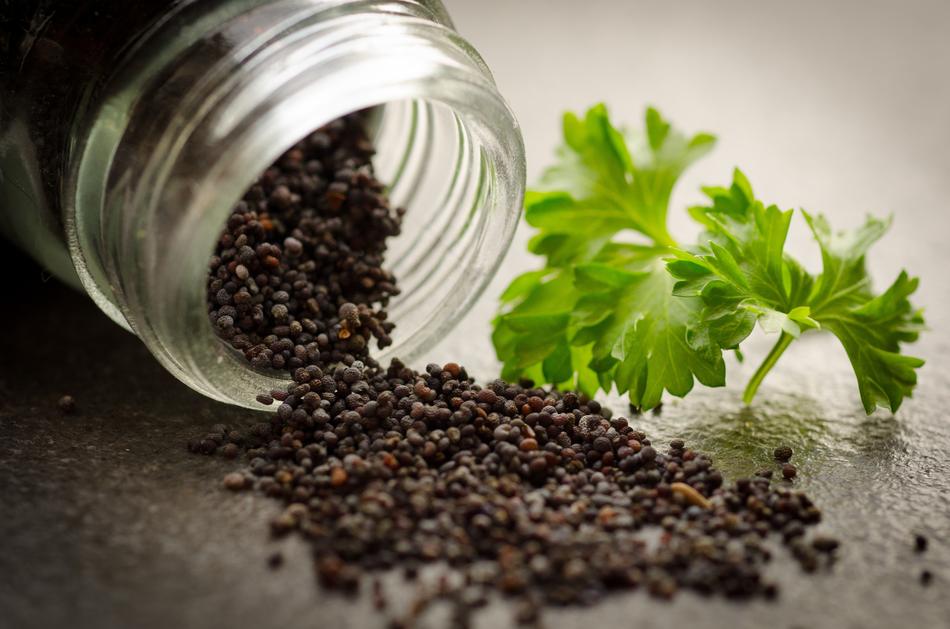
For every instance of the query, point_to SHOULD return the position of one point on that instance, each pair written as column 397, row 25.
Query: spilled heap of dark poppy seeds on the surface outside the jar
column 533, row 493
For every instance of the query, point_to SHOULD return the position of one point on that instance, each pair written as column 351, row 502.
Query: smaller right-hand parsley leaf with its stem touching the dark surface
column 743, row 275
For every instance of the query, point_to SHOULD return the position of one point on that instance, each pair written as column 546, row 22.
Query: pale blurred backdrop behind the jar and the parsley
column 838, row 107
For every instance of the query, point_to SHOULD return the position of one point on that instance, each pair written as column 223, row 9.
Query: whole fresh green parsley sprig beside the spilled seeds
column 654, row 315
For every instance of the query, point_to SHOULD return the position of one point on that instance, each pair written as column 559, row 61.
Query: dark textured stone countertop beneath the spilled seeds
column 107, row 520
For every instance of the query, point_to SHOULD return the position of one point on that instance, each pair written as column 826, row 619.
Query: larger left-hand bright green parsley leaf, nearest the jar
column 602, row 313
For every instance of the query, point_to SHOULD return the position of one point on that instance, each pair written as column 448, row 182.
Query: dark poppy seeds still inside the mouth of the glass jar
column 297, row 275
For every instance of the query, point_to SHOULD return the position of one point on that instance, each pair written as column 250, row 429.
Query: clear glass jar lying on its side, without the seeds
column 129, row 132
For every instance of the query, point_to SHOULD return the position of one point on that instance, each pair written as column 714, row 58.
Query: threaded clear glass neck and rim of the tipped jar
column 202, row 112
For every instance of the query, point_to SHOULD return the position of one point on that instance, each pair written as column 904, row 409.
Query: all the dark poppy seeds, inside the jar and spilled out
column 537, row 494
